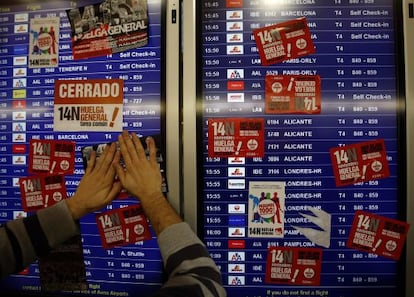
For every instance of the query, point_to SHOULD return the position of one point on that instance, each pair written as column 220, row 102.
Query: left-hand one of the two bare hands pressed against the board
column 97, row 187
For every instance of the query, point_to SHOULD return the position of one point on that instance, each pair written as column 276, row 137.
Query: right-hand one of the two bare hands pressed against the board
column 141, row 176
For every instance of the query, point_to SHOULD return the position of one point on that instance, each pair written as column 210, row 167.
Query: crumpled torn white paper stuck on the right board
column 321, row 219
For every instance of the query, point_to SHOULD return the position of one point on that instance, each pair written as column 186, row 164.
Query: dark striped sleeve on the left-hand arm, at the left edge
column 22, row 241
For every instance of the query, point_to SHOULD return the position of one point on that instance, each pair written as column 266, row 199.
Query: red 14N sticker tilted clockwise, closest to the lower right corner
column 377, row 234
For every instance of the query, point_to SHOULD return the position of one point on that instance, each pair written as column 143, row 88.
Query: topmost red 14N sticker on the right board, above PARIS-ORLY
column 283, row 41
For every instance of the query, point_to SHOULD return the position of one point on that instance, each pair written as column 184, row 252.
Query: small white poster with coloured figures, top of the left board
column 44, row 42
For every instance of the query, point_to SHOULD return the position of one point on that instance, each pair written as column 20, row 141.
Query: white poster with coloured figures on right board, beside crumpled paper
column 266, row 209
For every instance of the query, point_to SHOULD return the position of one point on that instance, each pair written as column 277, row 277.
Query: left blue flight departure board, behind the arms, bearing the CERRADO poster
column 73, row 75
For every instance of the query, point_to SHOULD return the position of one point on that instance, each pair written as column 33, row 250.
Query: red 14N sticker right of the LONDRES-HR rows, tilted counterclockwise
column 359, row 162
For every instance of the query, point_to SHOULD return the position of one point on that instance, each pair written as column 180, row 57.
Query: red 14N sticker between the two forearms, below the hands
column 123, row 226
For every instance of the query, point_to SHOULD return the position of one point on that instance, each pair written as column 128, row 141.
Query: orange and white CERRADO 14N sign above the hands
column 88, row 105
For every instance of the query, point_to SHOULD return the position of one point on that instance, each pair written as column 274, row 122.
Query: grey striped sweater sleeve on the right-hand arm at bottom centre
column 190, row 269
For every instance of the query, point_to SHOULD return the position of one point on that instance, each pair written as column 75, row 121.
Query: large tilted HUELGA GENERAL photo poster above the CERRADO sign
column 108, row 27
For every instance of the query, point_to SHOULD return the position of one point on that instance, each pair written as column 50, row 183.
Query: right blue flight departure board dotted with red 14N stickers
column 301, row 164
